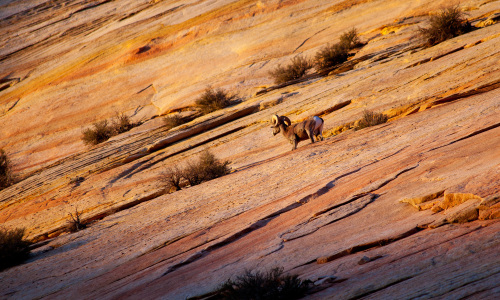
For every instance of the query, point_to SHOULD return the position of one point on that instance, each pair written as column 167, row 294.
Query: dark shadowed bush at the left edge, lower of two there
column 13, row 248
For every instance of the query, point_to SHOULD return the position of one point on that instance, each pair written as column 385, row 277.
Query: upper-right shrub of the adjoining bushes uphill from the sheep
column 332, row 55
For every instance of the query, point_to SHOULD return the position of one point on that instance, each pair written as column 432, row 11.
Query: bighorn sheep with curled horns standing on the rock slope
column 299, row 131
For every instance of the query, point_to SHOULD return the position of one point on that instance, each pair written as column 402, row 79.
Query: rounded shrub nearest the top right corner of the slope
column 448, row 23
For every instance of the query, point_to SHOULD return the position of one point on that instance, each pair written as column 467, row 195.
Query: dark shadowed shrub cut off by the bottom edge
column 270, row 285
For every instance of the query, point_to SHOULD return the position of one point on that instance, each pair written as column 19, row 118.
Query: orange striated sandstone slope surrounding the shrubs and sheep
column 402, row 210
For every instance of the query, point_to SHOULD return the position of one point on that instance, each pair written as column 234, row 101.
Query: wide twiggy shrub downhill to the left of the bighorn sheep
column 208, row 167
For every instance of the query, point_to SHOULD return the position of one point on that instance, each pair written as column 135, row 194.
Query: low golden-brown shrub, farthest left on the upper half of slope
column 102, row 131
